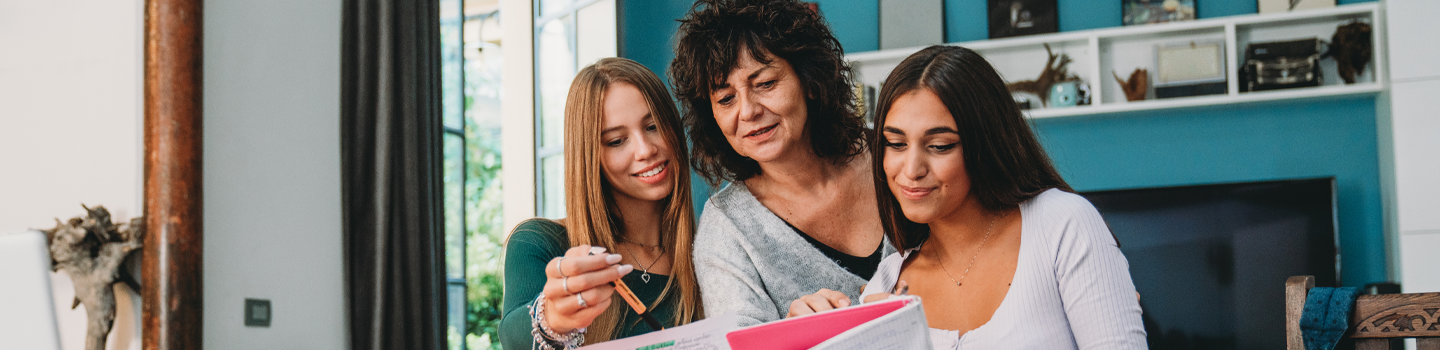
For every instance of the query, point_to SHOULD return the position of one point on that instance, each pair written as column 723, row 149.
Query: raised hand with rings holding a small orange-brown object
column 587, row 277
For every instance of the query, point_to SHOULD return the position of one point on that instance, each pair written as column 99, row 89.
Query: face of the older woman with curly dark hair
column 761, row 109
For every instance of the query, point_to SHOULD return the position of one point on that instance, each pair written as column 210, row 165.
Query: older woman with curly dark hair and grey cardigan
column 765, row 94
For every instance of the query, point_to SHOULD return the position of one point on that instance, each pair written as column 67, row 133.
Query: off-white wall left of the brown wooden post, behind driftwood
column 70, row 129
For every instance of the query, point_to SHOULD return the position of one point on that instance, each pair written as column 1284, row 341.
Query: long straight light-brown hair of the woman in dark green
column 593, row 217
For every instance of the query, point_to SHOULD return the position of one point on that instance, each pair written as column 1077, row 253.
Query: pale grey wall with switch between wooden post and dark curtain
column 273, row 174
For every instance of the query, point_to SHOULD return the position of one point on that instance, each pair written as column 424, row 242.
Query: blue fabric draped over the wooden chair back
column 1327, row 316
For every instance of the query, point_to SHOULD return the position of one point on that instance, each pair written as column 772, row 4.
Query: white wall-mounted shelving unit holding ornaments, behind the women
column 1101, row 54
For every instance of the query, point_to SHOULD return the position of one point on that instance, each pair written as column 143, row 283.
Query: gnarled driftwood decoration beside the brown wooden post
column 91, row 250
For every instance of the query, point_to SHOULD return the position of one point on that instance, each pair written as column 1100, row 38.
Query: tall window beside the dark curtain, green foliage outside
column 472, row 67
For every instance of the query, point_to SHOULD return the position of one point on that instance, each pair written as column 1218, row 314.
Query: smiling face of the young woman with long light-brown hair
column 636, row 156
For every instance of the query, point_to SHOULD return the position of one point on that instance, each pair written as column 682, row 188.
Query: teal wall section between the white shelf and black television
column 1246, row 143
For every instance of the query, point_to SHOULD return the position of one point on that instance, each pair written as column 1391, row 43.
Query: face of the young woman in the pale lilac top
column 925, row 166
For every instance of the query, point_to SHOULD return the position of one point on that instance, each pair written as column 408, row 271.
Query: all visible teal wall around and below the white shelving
column 1174, row 148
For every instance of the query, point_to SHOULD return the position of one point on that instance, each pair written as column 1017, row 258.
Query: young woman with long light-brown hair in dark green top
column 629, row 201
